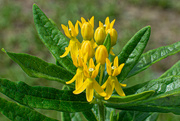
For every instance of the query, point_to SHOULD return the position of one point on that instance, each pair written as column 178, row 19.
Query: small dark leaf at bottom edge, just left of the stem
column 89, row 115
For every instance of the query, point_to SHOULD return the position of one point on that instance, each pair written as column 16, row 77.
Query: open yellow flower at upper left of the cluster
column 74, row 44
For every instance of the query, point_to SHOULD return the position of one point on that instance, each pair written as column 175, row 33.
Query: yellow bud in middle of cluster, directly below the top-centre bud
column 87, row 48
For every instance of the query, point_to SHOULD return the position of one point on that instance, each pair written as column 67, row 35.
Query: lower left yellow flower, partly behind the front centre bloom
column 79, row 76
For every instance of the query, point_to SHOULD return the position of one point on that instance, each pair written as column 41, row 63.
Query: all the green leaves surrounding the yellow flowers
column 158, row 95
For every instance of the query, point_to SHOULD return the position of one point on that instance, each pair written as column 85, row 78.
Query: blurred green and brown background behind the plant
column 18, row 33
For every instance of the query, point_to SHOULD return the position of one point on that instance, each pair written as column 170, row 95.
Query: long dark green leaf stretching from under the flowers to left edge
column 44, row 97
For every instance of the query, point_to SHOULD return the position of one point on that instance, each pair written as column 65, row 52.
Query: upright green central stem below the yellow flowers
column 101, row 110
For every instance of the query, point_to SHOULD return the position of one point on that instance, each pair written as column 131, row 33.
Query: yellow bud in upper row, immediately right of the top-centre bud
column 100, row 35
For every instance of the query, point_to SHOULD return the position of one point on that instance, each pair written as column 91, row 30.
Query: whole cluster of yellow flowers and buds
column 82, row 55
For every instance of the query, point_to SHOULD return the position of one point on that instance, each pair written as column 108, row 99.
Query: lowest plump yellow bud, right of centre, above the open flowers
column 101, row 54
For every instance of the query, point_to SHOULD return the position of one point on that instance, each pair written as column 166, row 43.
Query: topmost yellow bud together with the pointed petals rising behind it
column 87, row 28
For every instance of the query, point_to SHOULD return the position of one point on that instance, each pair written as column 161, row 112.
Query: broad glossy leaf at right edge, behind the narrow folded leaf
column 166, row 97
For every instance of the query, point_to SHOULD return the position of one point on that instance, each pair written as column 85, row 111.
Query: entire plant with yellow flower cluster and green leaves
column 92, row 74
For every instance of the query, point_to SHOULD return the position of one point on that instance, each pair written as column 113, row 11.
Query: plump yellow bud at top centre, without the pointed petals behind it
column 87, row 31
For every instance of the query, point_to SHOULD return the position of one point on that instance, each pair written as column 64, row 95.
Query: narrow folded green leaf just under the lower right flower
column 131, row 98
